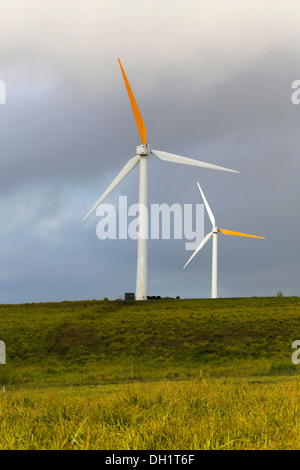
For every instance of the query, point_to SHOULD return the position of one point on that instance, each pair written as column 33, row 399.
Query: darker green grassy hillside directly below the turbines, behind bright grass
column 105, row 341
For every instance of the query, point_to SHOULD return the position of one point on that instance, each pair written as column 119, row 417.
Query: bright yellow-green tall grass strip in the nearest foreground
column 203, row 414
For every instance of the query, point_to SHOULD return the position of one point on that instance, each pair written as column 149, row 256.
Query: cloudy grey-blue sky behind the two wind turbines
column 212, row 81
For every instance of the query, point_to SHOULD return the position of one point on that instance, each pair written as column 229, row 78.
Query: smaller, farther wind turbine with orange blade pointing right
column 214, row 234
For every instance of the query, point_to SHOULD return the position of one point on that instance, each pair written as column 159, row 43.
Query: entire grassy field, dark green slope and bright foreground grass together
column 207, row 374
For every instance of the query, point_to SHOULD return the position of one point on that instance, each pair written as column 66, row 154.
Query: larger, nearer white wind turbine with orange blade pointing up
column 142, row 153
